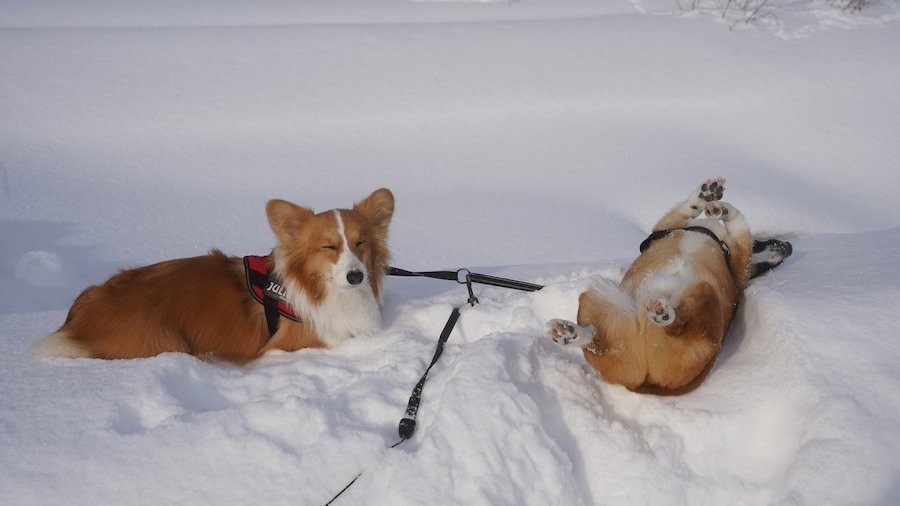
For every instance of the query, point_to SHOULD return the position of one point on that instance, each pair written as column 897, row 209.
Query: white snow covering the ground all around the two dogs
column 537, row 140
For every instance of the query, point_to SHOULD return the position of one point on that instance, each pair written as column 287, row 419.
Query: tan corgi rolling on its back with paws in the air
column 660, row 330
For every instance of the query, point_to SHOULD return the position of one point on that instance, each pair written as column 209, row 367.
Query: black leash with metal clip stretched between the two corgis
column 463, row 276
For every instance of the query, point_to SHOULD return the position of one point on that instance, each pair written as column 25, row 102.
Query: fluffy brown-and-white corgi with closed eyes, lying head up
column 326, row 267
